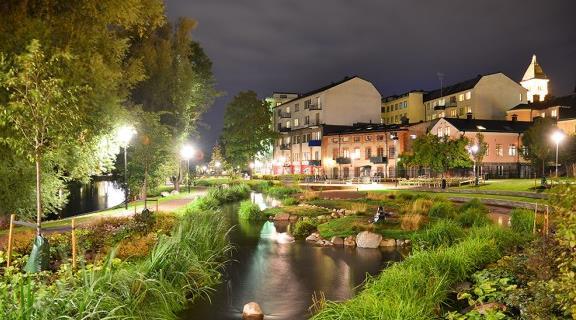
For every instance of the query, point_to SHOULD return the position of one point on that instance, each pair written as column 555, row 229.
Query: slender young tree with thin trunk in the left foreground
column 42, row 110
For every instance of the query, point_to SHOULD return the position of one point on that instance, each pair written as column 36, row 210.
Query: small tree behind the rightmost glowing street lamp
column 536, row 140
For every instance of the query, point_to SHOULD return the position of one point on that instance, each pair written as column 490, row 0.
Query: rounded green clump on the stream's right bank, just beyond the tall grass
column 441, row 233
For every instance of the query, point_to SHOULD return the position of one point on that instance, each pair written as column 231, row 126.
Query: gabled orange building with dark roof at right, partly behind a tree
column 504, row 138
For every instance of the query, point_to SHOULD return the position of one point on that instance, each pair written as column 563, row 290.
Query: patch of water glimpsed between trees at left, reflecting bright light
column 97, row 195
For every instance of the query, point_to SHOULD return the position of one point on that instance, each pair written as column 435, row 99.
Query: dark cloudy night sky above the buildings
column 289, row 45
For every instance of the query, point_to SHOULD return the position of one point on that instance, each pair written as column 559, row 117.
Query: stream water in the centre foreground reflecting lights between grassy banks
column 283, row 277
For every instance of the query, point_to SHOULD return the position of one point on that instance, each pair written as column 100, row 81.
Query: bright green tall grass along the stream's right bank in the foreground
column 416, row 287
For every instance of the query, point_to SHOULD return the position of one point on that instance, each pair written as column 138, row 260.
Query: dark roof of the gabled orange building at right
column 475, row 125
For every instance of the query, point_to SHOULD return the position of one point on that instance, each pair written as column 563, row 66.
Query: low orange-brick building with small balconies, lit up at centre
column 364, row 150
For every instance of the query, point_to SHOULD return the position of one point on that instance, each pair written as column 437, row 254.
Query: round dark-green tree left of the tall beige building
column 247, row 128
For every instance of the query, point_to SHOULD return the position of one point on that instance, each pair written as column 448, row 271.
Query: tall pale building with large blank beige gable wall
column 301, row 122
